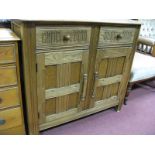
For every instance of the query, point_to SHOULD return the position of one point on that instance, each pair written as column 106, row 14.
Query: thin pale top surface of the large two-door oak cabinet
column 57, row 20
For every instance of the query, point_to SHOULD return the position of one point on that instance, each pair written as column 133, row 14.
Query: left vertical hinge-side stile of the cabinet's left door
column 41, row 87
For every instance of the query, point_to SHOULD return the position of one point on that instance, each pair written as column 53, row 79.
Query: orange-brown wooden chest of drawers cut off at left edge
column 11, row 112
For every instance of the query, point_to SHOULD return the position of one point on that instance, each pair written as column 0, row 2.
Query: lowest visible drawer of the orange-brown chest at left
column 10, row 118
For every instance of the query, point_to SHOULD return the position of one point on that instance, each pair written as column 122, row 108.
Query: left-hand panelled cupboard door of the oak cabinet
column 61, row 83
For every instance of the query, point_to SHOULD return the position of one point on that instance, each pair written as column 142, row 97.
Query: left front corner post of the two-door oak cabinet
column 30, row 77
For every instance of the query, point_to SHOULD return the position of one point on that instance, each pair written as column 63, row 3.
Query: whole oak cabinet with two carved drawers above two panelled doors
column 74, row 69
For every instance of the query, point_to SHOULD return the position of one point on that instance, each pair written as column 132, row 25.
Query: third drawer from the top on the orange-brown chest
column 9, row 97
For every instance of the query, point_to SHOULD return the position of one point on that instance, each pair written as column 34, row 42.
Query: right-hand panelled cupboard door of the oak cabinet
column 111, row 73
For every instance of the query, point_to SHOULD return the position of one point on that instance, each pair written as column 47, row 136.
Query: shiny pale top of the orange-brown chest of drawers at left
column 7, row 35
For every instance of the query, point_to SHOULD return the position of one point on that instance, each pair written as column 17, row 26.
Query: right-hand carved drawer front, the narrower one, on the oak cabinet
column 116, row 35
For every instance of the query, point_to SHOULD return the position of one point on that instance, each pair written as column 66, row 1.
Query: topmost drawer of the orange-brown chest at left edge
column 7, row 54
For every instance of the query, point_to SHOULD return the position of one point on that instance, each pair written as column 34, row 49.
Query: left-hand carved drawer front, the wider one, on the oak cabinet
column 55, row 37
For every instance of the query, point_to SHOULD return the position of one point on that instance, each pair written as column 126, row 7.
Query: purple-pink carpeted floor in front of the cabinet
column 136, row 118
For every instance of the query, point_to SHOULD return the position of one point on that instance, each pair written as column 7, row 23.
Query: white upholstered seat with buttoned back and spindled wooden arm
column 143, row 68
